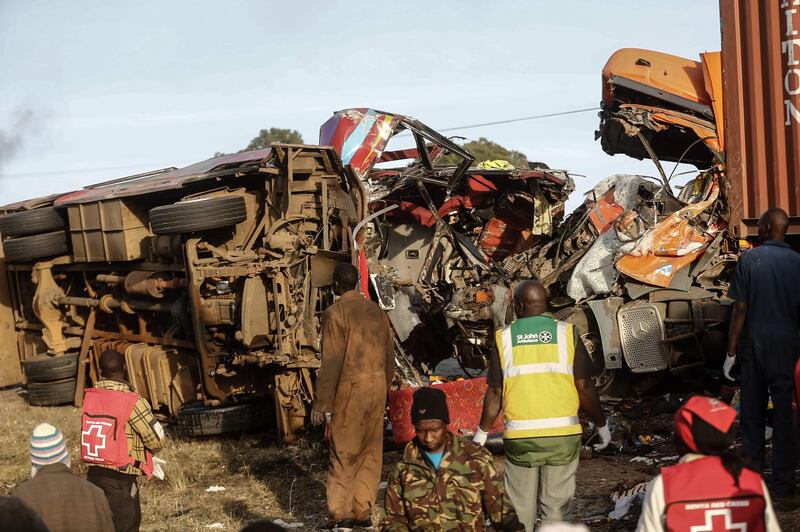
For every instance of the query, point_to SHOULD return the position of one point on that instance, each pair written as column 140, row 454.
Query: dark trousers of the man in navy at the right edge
column 767, row 364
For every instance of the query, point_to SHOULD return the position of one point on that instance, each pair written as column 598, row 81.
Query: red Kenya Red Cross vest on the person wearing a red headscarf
column 701, row 496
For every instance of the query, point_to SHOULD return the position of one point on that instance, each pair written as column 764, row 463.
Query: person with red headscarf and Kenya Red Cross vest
column 710, row 488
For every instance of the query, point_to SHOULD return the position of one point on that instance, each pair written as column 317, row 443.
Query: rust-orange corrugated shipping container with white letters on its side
column 761, row 80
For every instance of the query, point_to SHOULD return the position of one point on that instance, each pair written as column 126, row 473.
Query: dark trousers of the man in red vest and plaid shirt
column 122, row 492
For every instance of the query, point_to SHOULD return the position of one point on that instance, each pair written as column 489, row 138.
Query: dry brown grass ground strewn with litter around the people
column 262, row 479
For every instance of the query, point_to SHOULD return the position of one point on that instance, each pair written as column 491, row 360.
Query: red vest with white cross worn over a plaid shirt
column 103, row 439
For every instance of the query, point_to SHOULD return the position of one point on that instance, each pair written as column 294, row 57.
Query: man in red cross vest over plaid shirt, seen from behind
column 119, row 435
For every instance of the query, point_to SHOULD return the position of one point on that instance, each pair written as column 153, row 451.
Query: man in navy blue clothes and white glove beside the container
column 765, row 333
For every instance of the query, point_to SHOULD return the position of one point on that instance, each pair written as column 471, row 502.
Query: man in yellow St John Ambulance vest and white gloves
column 539, row 375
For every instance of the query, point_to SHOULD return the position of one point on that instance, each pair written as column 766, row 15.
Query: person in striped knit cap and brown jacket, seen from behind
column 65, row 502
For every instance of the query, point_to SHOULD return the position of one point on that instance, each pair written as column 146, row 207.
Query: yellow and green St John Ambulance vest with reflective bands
column 539, row 394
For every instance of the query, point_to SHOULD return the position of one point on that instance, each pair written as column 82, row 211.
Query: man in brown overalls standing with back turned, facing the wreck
column 357, row 369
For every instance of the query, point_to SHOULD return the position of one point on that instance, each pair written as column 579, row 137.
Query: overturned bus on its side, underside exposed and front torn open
column 212, row 278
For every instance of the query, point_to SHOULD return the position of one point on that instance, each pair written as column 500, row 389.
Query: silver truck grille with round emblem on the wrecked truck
column 642, row 331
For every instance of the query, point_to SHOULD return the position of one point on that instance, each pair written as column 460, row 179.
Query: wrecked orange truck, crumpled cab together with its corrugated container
column 648, row 291
